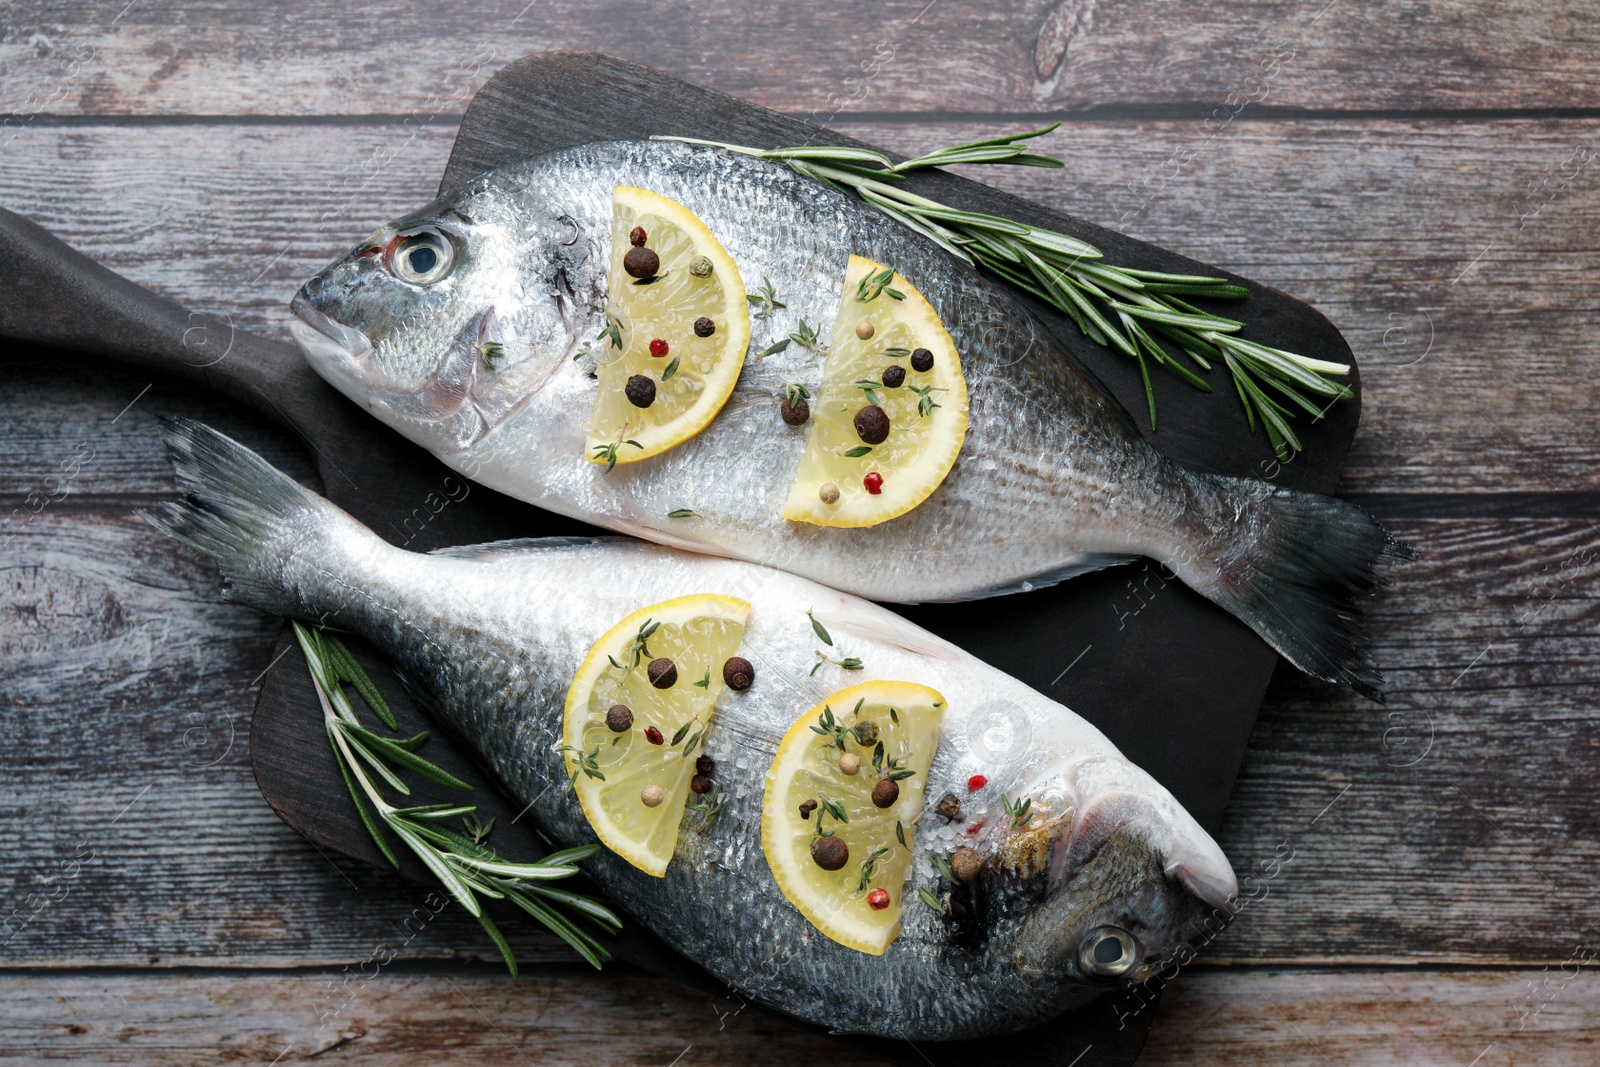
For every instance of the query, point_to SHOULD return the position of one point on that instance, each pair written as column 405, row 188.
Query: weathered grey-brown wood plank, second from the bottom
column 1364, row 834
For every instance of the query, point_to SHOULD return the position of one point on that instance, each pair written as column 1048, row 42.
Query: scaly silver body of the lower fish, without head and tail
column 495, row 637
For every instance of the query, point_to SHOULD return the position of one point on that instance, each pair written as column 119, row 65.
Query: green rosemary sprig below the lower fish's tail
column 463, row 865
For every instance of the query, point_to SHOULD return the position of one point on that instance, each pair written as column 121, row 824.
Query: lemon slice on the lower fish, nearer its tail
column 615, row 769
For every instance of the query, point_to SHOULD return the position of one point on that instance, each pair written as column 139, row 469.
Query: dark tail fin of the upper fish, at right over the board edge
column 1295, row 572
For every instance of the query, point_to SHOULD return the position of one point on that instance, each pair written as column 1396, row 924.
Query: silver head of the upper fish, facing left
column 446, row 321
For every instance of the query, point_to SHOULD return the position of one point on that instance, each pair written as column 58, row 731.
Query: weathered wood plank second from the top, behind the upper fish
column 1471, row 332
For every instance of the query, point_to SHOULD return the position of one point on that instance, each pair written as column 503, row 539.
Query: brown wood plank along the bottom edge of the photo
column 566, row 1017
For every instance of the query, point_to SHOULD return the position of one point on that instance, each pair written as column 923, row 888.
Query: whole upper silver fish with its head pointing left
column 1054, row 479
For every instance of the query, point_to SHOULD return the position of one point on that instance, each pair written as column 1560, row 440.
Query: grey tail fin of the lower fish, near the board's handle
column 250, row 518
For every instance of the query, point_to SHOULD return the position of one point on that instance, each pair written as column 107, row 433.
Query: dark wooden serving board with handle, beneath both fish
column 1170, row 679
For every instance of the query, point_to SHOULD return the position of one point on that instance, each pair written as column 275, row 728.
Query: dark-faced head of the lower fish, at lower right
column 1134, row 887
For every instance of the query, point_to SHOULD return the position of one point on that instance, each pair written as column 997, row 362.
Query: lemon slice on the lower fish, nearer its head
column 846, row 905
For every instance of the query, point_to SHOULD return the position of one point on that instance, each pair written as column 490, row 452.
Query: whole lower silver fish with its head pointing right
column 1084, row 874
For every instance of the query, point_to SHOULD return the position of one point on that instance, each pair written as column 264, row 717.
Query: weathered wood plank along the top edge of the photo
column 180, row 57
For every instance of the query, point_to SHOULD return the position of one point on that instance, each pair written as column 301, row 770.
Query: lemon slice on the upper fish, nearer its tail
column 927, row 415
